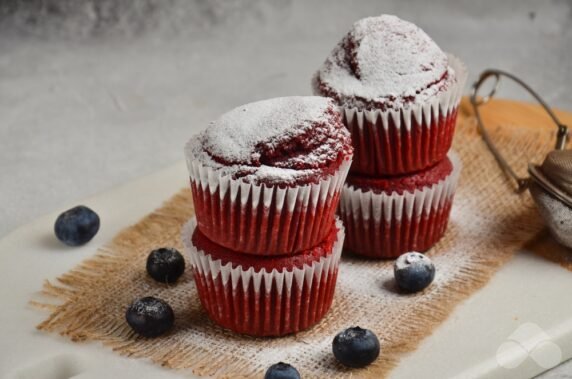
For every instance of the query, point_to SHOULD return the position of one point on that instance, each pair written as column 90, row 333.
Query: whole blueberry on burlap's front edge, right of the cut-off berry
column 356, row 347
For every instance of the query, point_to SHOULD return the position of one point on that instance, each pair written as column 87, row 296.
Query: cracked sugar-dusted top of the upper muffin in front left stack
column 284, row 141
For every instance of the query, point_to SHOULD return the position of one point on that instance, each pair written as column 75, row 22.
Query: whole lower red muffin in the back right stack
column 386, row 217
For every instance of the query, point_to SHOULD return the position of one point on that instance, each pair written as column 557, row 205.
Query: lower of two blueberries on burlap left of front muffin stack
column 150, row 317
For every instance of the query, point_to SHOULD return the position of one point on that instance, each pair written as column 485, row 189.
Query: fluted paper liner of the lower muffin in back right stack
column 386, row 225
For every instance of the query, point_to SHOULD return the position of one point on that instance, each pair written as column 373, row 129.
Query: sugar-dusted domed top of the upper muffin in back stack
column 384, row 62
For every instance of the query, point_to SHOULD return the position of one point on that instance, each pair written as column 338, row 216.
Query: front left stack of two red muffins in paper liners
column 265, row 245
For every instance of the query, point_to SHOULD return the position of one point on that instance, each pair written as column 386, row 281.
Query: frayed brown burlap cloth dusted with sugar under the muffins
column 489, row 223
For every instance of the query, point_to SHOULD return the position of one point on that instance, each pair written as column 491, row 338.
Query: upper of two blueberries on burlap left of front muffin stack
column 165, row 265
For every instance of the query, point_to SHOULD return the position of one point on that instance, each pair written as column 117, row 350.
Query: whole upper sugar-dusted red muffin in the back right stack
column 398, row 92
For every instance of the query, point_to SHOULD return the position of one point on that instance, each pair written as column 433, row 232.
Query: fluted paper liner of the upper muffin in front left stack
column 261, row 219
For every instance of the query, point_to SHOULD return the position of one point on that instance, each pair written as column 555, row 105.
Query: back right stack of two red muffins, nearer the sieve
column 399, row 94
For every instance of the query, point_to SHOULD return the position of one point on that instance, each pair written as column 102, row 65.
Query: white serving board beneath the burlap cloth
column 528, row 296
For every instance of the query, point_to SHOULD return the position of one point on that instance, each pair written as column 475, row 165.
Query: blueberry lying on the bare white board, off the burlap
column 76, row 226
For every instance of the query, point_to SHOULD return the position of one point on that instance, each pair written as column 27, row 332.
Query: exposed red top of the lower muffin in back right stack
column 405, row 183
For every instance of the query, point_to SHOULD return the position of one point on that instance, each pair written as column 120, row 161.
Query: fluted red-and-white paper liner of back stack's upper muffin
column 408, row 139
